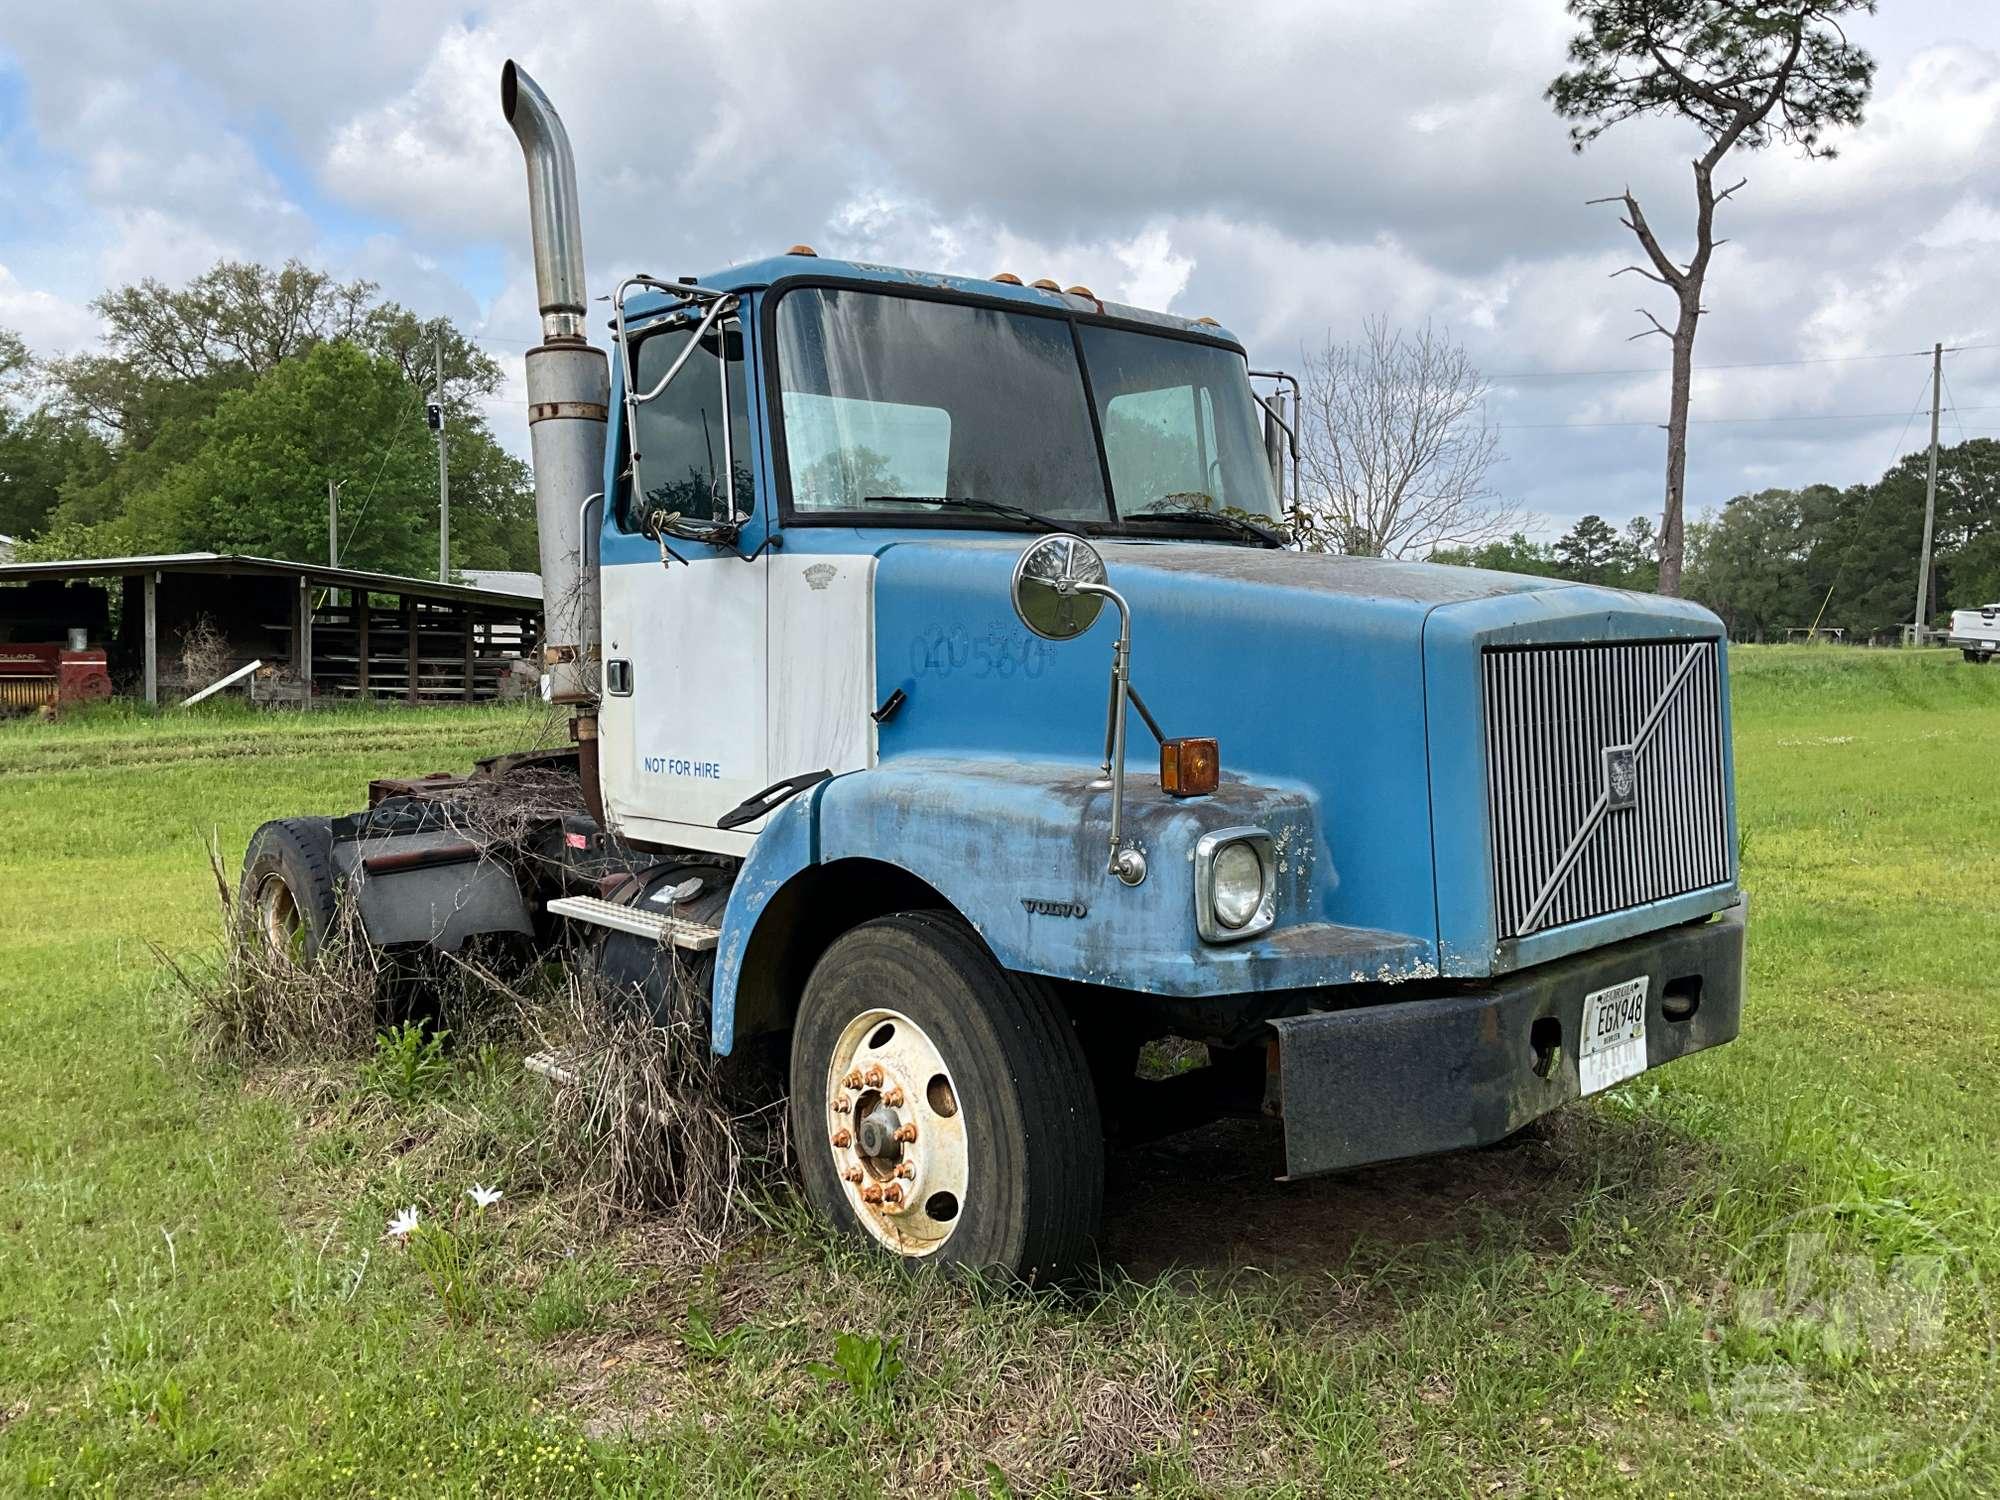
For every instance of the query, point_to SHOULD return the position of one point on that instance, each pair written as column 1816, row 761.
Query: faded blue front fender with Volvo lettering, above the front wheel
column 1019, row 849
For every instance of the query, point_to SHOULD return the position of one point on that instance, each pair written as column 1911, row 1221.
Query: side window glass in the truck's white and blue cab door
column 681, row 431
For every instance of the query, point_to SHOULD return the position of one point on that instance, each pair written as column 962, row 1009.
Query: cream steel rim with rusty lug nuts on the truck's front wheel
column 897, row 1133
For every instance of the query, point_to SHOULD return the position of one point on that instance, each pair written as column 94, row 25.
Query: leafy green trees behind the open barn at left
column 215, row 415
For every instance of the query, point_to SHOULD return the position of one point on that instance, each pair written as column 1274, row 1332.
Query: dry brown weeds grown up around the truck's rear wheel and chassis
column 647, row 1121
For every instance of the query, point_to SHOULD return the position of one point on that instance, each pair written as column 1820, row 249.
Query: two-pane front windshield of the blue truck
column 895, row 401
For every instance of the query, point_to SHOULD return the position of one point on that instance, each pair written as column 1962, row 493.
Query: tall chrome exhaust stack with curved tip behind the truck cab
column 569, row 393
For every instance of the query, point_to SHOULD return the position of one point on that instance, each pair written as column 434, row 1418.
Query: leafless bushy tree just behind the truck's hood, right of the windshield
column 1397, row 447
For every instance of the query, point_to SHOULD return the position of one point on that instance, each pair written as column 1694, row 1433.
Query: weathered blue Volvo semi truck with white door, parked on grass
column 861, row 587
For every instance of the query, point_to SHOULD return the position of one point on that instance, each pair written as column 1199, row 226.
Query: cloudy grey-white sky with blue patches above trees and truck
column 1289, row 169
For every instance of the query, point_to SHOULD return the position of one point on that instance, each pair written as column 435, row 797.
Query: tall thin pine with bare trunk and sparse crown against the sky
column 1745, row 73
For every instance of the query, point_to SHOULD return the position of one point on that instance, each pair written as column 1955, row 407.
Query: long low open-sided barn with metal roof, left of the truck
column 167, row 627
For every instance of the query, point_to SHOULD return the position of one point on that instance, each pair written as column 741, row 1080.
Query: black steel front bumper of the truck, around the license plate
column 1421, row 1077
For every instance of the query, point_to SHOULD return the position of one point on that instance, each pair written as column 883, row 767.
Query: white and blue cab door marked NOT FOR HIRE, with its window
column 683, row 719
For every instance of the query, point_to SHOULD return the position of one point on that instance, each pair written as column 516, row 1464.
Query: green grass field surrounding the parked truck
column 1753, row 1273
